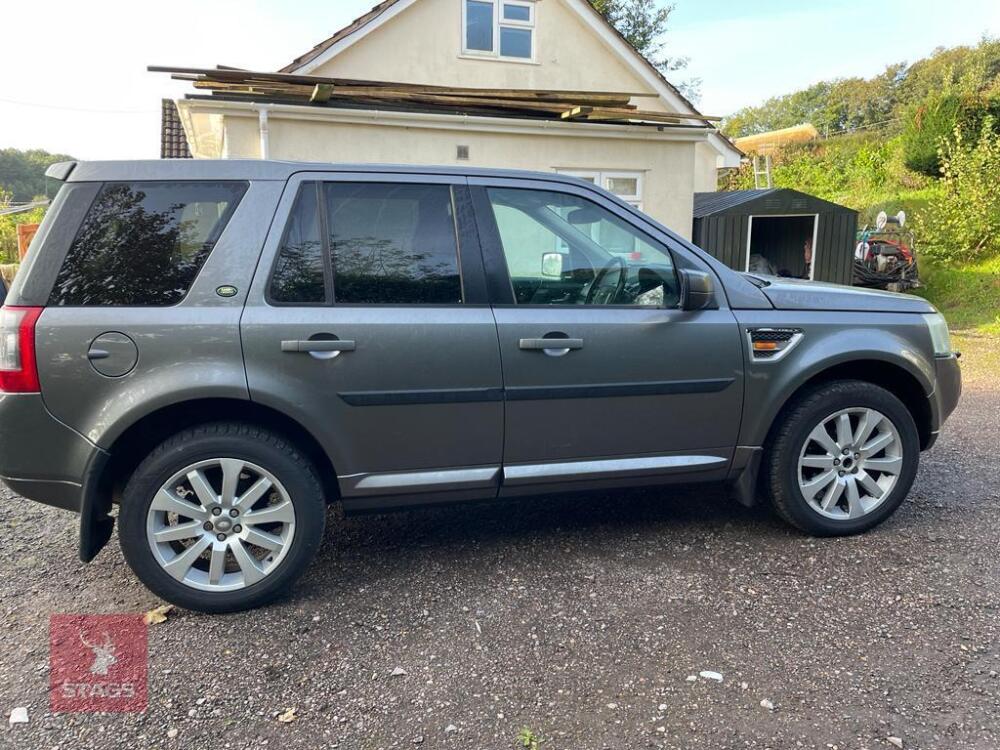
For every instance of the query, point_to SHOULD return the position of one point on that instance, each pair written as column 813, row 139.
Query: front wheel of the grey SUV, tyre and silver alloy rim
column 843, row 459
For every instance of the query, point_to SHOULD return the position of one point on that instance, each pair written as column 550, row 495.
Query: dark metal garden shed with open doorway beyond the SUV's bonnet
column 773, row 226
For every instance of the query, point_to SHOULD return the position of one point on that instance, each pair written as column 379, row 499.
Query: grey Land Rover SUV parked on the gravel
column 219, row 349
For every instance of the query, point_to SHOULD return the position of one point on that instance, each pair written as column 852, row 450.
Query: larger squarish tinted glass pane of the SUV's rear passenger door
column 393, row 244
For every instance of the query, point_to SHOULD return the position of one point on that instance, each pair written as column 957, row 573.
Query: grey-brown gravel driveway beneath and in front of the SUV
column 581, row 619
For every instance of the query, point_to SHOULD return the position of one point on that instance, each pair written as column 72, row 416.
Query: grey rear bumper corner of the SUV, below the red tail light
column 40, row 457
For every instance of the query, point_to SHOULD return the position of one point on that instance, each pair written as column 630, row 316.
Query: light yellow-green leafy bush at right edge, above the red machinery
column 961, row 223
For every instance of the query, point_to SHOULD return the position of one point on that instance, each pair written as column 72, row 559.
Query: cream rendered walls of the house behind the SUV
column 423, row 44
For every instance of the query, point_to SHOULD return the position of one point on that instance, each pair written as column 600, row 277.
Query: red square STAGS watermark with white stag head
column 97, row 663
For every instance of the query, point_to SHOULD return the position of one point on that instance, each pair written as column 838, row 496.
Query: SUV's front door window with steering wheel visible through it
column 562, row 249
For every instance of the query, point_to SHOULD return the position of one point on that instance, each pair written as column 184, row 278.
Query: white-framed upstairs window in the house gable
column 504, row 29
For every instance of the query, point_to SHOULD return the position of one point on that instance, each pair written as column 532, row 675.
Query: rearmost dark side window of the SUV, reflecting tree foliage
column 143, row 243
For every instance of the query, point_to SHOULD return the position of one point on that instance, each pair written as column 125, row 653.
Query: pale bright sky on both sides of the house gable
column 73, row 75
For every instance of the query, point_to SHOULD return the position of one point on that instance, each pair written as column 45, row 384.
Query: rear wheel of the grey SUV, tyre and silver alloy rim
column 222, row 517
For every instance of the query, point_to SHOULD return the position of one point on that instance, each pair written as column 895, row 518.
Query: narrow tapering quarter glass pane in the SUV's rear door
column 299, row 276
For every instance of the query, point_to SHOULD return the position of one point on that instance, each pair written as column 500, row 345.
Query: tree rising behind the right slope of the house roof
column 644, row 23
